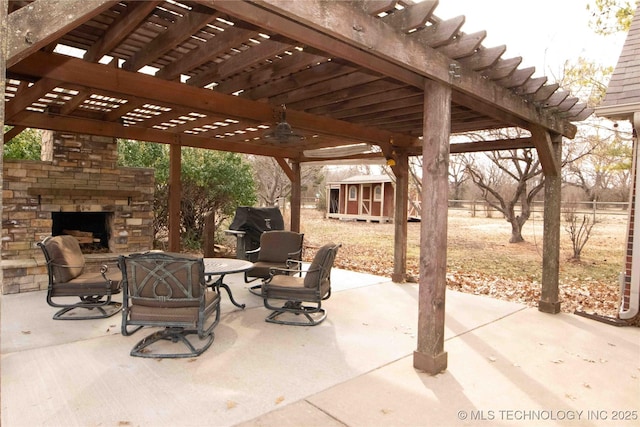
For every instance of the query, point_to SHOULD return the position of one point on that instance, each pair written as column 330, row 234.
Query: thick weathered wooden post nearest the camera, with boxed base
column 430, row 356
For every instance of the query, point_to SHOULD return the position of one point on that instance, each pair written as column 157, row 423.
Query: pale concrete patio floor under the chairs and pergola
column 508, row 365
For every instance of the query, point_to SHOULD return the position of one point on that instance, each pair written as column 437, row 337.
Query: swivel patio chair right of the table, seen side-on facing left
column 311, row 289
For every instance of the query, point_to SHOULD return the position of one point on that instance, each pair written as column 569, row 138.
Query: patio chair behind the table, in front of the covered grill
column 278, row 249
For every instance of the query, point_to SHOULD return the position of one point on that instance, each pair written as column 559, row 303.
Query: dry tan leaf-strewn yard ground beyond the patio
column 480, row 259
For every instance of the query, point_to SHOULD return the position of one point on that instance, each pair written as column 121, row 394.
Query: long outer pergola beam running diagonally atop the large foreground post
column 377, row 48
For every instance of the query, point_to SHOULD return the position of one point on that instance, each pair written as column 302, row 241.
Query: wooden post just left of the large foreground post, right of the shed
column 400, row 217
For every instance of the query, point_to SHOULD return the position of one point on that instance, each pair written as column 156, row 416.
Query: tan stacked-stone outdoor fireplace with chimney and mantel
column 78, row 190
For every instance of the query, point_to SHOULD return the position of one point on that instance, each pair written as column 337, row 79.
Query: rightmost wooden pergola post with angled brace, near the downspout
column 549, row 302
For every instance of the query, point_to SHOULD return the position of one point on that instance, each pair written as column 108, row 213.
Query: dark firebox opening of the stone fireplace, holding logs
column 92, row 229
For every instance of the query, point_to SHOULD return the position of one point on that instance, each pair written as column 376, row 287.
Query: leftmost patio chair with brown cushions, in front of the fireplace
column 68, row 278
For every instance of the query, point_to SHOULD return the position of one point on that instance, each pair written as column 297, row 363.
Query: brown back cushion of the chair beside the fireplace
column 67, row 260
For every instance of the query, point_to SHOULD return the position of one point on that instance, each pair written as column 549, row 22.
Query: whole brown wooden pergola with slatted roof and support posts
column 363, row 79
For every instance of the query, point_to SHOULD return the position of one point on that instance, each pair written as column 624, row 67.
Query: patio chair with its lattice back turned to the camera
column 168, row 291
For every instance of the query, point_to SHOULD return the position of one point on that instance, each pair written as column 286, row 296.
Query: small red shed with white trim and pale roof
column 362, row 198
